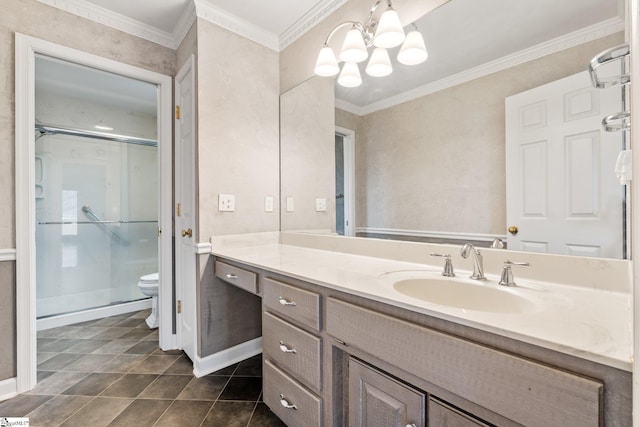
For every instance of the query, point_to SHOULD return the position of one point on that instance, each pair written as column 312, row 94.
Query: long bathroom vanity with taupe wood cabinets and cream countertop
column 337, row 355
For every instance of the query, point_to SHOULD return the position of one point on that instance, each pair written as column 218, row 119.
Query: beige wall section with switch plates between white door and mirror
column 238, row 135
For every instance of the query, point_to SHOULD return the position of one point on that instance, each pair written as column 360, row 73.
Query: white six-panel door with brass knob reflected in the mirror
column 562, row 192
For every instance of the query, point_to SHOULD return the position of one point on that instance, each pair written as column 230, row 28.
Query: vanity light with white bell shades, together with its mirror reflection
column 383, row 34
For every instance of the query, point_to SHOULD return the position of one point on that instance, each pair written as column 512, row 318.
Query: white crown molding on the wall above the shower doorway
column 114, row 20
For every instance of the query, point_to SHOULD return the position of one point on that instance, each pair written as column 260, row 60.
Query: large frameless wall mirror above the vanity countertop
column 433, row 158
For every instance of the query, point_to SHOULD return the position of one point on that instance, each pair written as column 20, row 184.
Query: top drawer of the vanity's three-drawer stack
column 294, row 303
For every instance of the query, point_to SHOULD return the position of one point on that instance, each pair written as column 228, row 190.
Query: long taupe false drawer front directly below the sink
column 521, row 390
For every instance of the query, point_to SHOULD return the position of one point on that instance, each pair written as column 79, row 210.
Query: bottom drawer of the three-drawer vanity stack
column 279, row 391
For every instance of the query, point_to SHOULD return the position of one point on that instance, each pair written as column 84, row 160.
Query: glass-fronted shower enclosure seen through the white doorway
column 97, row 181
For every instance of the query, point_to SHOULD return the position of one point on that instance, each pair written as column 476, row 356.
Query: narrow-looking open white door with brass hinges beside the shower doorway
column 185, row 209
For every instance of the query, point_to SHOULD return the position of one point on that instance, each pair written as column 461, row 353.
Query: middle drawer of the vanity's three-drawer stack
column 295, row 350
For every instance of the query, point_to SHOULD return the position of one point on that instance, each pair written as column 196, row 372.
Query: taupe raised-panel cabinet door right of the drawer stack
column 377, row 400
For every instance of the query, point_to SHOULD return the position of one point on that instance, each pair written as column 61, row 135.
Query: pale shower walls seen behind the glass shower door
column 87, row 267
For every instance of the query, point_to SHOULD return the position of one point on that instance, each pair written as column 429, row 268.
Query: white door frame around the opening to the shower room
column 26, row 47
